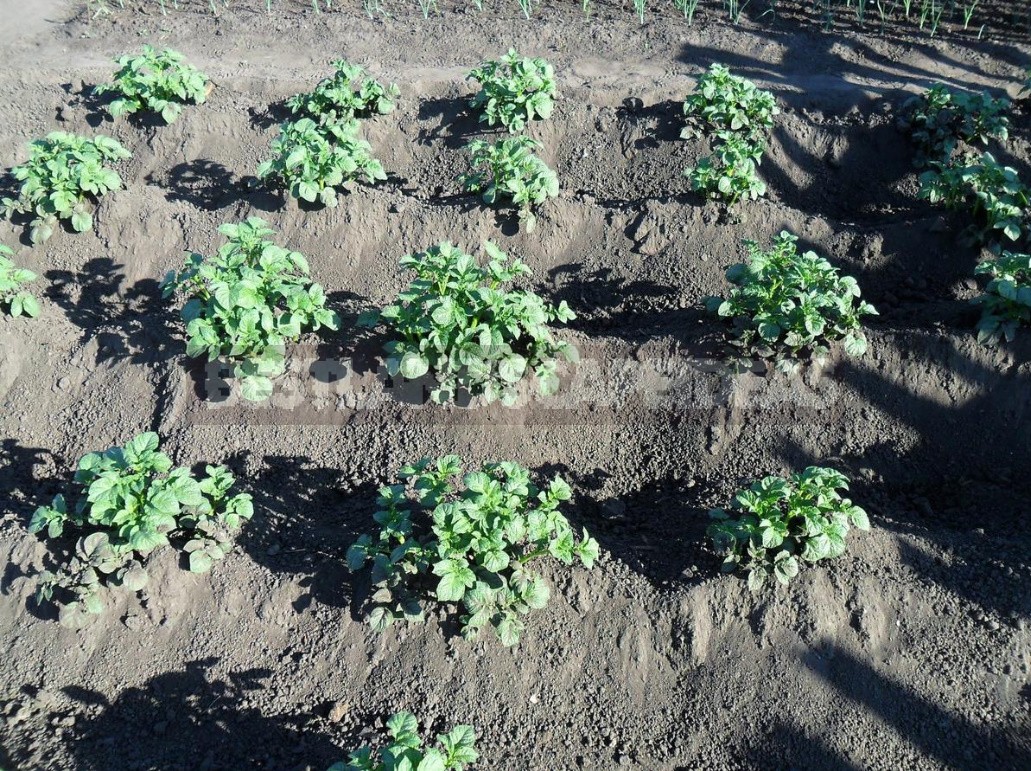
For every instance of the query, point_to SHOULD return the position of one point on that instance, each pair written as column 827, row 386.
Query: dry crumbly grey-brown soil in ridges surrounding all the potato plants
column 911, row 652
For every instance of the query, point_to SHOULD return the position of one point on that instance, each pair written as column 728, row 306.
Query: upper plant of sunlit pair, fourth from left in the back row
column 724, row 103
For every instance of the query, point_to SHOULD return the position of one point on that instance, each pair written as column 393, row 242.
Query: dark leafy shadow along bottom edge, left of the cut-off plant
column 193, row 720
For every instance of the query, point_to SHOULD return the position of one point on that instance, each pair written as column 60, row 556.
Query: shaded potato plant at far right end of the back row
column 940, row 119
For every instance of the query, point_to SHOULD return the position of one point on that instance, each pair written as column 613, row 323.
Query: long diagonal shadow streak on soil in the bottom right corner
column 950, row 739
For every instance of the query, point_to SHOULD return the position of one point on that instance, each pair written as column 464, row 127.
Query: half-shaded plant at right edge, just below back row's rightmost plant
column 994, row 194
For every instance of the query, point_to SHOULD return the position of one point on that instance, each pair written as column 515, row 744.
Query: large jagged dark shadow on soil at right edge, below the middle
column 954, row 487
